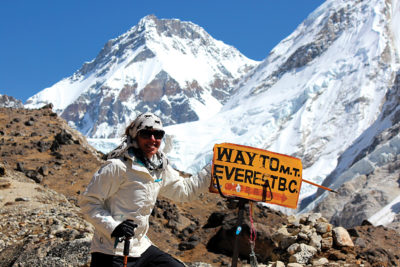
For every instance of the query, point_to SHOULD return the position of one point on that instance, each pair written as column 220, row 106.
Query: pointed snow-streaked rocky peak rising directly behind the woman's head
column 172, row 68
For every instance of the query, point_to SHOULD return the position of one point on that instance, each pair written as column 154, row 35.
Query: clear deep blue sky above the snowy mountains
column 45, row 41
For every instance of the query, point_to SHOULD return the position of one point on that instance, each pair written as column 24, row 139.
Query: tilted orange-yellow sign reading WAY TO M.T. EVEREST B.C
column 256, row 174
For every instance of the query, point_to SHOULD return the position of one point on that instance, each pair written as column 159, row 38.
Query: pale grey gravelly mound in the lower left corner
column 40, row 227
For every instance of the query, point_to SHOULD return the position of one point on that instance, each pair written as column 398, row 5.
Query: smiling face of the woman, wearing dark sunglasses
column 149, row 141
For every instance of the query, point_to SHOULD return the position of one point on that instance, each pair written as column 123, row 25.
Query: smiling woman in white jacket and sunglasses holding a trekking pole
column 123, row 192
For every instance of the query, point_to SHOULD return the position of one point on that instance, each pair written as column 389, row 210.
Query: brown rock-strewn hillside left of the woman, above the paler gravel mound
column 42, row 145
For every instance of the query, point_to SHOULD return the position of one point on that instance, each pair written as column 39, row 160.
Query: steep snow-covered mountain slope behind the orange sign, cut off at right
column 319, row 91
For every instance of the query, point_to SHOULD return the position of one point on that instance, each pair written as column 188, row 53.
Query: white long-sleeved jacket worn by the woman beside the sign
column 125, row 189
